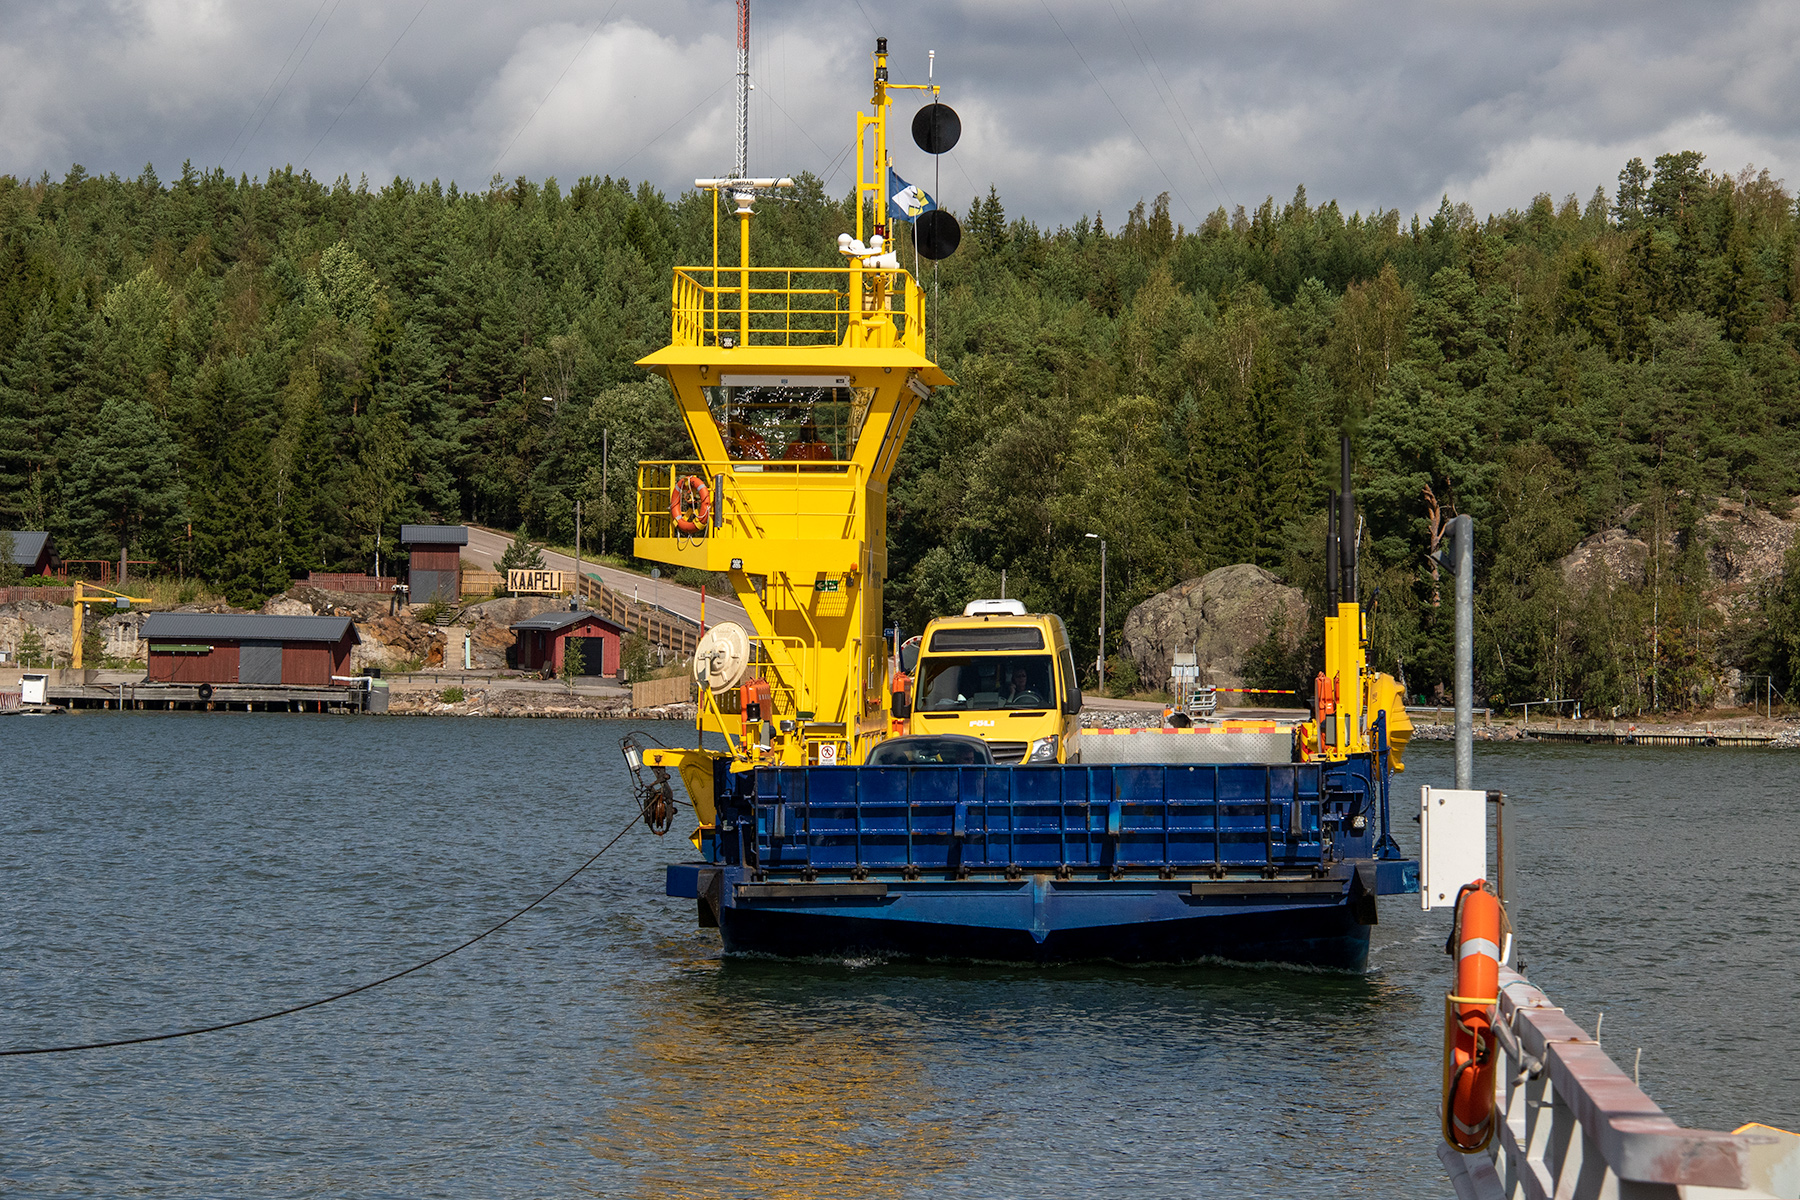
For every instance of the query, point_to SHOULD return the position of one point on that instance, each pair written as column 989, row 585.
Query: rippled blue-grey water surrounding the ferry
column 166, row 872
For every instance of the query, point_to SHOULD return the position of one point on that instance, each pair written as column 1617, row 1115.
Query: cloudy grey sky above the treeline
column 1070, row 105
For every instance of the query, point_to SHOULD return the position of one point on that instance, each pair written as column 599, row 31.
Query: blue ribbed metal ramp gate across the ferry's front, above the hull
column 1230, row 816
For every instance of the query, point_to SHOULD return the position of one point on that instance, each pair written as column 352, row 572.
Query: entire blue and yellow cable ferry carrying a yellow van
column 953, row 805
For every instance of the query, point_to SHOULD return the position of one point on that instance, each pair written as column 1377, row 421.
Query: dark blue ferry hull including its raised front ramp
column 1052, row 864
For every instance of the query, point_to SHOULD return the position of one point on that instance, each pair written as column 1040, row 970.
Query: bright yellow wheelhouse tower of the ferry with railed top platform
column 796, row 388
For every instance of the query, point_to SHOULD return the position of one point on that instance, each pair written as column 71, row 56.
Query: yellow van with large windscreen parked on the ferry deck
column 996, row 674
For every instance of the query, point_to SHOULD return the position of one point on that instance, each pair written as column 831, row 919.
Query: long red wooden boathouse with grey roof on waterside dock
column 247, row 649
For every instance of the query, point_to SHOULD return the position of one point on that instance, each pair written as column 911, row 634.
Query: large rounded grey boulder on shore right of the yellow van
column 1221, row 616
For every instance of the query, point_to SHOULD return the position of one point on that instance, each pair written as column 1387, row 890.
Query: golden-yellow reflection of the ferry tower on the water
column 769, row 1097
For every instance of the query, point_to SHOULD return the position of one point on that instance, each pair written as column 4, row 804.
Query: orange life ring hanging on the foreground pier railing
column 1470, row 1046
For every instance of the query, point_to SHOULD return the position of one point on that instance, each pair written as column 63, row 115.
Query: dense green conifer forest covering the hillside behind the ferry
column 255, row 379
